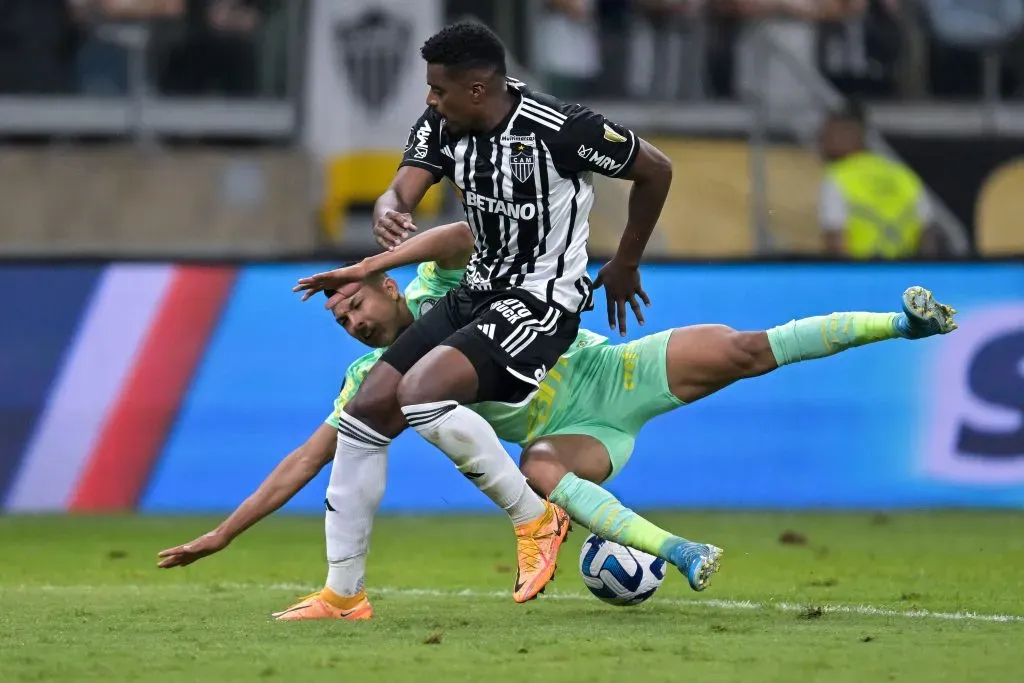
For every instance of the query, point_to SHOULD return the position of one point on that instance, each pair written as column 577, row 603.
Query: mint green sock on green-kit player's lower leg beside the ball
column 606, row 517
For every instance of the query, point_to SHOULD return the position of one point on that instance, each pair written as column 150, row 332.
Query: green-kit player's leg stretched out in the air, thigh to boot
column 704, row 359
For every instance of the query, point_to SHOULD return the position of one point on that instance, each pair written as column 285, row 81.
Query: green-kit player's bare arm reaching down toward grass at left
column 281, row 486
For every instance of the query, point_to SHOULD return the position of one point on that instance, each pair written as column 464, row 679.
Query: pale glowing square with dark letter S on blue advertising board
column 977, row 424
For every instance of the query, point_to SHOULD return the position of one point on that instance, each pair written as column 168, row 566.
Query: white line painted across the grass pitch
column 710, row 604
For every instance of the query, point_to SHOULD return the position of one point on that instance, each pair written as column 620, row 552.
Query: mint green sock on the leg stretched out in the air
column 827, row 335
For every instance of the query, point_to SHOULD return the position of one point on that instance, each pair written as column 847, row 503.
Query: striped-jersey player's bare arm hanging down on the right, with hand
column 652, row 177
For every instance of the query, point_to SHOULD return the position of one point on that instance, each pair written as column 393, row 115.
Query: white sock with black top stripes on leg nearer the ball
column 474, row 447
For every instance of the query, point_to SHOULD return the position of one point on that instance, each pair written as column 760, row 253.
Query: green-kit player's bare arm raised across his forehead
column 451, row 246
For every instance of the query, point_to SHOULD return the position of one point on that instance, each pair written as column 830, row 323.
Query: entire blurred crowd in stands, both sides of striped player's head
column 648, row 50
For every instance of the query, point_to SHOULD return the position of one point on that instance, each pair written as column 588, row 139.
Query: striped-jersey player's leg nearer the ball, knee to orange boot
column 434, row 396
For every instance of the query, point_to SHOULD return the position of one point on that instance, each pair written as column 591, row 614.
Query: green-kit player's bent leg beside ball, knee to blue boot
column 568, row 468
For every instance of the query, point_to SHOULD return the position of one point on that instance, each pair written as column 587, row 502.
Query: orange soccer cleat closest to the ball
column 538, row 543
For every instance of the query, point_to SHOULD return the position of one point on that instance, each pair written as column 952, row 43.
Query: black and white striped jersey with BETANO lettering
column 528, row 191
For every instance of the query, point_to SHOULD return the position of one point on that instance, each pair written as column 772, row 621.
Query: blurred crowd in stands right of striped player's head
column 679, row 50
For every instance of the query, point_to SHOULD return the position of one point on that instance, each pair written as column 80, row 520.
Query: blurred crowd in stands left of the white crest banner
column 175, row 48
